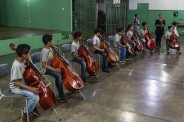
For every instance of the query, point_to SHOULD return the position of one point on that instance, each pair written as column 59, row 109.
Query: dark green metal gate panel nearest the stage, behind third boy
column 85, row 16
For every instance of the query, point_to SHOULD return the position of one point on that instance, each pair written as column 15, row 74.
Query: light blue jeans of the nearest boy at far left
column 32, row 99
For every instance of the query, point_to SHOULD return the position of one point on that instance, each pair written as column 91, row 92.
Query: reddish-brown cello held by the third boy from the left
column 91, row 66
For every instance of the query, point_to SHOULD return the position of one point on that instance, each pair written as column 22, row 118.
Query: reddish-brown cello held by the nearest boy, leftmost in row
column 34, row 78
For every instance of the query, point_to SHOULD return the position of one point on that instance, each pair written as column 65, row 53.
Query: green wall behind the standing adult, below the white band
column 152, row 15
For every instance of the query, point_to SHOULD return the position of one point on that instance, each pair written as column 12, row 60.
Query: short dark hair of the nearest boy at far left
column 22, row 49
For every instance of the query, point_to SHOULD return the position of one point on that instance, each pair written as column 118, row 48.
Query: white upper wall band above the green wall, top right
column 158, row 4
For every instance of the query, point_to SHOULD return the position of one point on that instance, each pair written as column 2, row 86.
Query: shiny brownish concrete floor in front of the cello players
column 149, row 89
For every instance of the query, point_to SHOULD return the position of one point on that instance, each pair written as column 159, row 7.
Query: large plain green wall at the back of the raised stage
column 42, row 14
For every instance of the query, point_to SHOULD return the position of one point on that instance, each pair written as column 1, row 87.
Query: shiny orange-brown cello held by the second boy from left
column 71, row 80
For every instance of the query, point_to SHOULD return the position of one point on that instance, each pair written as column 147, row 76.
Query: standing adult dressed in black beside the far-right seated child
column 159, row 23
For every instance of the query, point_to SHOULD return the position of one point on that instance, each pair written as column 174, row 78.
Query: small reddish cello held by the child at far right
column 174, row 41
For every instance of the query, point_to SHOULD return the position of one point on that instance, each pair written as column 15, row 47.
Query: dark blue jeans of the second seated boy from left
column 58, row 81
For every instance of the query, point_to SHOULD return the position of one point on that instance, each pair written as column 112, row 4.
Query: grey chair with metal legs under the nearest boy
column 4, row 71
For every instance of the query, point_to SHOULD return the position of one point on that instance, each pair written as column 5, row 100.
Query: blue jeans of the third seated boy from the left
column 83, row 67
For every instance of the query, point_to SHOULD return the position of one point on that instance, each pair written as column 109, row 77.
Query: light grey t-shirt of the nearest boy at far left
column 17, row 71
